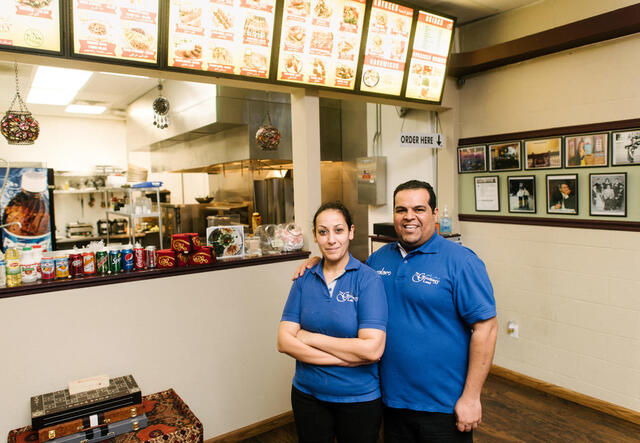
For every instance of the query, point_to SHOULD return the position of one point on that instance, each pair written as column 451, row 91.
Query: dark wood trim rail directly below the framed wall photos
column 611, row 225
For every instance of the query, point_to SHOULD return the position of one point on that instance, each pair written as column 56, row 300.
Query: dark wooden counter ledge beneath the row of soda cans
column 99, row 280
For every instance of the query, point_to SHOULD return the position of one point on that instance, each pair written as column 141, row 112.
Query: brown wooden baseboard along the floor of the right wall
column 567, row 394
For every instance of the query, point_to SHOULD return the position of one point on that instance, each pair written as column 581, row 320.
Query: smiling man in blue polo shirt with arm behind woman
column 442, row 328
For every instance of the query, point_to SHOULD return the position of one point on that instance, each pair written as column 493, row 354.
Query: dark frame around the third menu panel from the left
column 270, row 79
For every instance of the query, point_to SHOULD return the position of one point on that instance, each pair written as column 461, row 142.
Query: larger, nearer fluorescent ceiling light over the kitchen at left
column 56, row 86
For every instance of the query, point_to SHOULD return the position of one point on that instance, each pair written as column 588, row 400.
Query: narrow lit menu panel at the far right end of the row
column 429, row 57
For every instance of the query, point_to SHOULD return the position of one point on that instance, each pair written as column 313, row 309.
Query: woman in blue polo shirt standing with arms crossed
column 334, row 325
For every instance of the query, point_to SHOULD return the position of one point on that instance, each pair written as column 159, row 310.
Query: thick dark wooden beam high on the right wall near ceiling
column 602, row 27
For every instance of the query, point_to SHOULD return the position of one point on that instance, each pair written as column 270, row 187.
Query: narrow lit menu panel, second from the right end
column 386, row 49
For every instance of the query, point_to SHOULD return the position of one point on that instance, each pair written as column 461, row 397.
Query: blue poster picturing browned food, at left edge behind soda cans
column 25, row 208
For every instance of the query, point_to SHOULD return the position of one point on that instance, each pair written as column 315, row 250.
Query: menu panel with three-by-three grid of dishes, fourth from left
column 320, row 42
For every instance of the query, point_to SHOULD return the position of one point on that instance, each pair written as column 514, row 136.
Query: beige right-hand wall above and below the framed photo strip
column 573, row 291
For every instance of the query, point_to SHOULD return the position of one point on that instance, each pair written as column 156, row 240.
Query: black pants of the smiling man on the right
column 407, row 426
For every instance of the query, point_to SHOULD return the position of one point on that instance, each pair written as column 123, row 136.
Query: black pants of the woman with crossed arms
column 320, row 421
